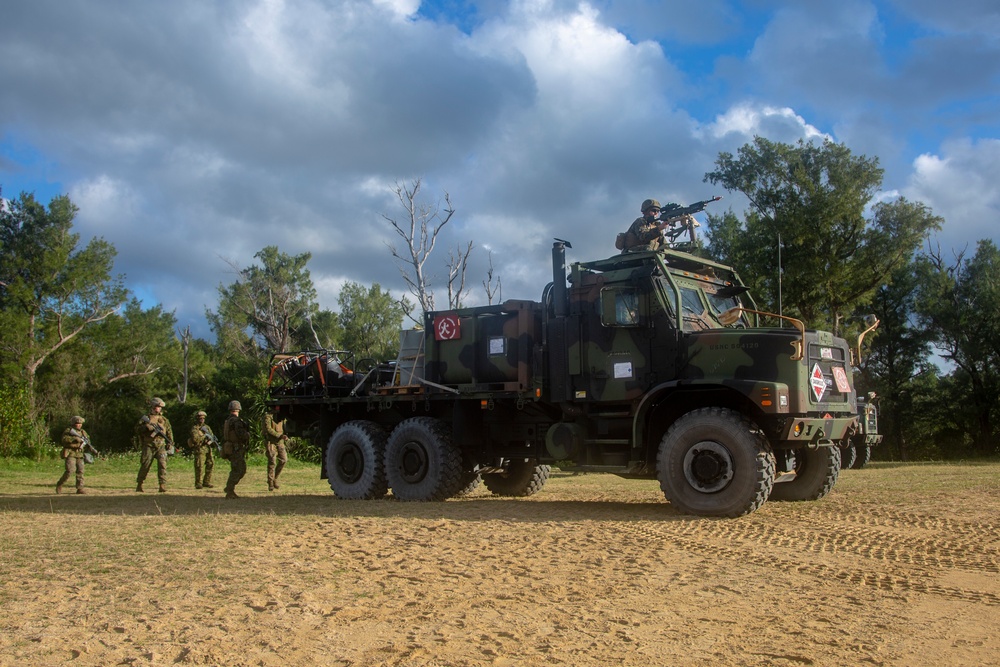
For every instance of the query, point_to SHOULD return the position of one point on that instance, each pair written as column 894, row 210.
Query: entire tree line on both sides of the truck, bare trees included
column 816, row 243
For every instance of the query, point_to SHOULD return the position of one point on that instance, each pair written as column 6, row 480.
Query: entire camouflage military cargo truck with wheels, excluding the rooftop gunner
column 646, row 365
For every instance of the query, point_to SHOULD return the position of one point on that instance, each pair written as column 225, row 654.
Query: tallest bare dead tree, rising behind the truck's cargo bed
column 419, row 231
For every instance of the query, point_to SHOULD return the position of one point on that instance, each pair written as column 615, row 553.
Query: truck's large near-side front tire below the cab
column 714, row 462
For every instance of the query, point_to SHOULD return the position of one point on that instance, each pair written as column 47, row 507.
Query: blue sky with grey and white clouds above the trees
column 191, row 134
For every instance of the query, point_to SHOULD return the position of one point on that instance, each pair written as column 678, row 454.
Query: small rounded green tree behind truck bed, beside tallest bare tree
column 371, row 319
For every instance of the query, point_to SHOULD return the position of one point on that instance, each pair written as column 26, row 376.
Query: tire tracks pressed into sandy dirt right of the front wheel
column 897, row 563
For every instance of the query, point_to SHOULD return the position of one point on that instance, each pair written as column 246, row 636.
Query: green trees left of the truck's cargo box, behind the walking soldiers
column 75, row 341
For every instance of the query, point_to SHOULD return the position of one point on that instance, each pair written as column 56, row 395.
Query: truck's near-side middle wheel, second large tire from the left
column 422, row 462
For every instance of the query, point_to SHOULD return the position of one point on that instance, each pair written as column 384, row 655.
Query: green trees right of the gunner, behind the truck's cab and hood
column 934, row 361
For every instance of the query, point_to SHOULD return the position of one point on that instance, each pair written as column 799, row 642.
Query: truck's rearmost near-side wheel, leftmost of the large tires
column 355, row 461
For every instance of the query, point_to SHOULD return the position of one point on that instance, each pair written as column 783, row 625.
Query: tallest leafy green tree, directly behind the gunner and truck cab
column 814, row 197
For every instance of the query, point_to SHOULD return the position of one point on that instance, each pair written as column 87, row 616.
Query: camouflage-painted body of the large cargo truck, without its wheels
column 640, row 334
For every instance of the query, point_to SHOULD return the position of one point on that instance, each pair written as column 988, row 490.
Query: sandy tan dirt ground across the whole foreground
column 591, row 571
